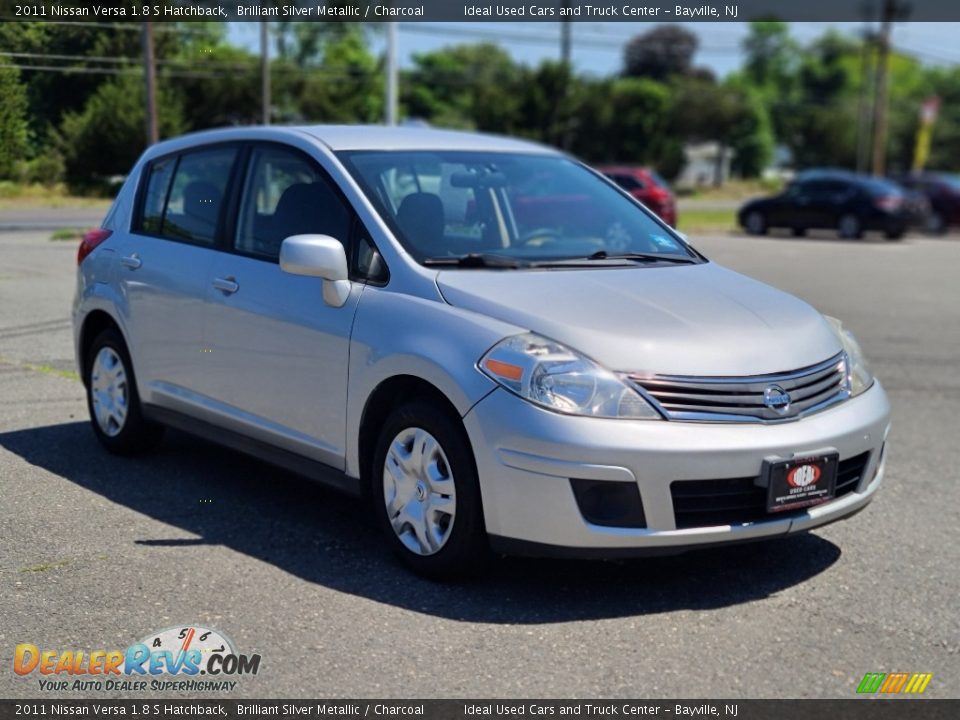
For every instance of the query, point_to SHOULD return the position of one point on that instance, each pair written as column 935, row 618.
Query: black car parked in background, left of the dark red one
column 850, row 203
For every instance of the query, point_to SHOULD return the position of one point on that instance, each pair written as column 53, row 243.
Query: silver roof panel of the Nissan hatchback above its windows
column 364, row 137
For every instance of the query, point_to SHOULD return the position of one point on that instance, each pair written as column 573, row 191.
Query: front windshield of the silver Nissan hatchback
column 525, row 207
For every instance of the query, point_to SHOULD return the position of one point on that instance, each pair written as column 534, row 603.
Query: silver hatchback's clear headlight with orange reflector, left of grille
column 556, row 377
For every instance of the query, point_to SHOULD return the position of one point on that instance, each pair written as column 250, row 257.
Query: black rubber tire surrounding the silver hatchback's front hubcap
column 465, row 550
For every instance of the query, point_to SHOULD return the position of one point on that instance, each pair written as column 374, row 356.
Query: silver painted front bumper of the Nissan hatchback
column 526, row 457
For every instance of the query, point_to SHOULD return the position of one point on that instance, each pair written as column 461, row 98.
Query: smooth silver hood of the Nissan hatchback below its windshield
column 682, row 320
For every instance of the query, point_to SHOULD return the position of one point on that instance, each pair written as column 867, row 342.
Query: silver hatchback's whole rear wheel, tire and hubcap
column 112, row 398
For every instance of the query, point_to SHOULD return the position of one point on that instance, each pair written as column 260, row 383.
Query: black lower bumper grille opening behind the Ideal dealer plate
column 735, row 501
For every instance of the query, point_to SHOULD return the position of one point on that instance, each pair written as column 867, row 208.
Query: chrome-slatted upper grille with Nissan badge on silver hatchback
column 758, row 398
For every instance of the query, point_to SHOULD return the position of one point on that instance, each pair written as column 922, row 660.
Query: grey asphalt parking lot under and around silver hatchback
column 97, row 552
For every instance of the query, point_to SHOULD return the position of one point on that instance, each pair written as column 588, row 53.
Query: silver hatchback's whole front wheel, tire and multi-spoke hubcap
column 426, row 494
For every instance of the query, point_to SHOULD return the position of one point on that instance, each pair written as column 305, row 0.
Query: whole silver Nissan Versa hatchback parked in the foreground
column 493, row 342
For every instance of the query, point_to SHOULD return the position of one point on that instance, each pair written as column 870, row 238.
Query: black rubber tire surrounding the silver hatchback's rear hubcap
column 135, row 435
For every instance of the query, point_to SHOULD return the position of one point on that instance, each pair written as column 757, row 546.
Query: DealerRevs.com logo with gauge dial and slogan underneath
column 189, row 658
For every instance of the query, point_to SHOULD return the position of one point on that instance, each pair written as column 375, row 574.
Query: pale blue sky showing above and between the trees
column 598, row 47
